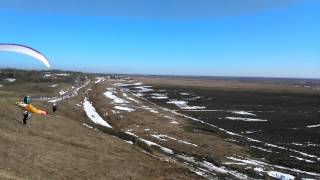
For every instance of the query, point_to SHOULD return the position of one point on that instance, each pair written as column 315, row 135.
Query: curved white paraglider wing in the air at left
column 26, row 51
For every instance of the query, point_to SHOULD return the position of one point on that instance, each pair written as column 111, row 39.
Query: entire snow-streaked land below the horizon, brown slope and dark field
column 158, row 128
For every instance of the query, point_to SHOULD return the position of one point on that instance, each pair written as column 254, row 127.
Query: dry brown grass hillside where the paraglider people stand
column 60, row 147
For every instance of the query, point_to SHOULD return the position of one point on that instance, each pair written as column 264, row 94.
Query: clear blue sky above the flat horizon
column 273, row 38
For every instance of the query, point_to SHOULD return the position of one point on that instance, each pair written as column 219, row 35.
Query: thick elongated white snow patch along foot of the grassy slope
column 93, row 115
